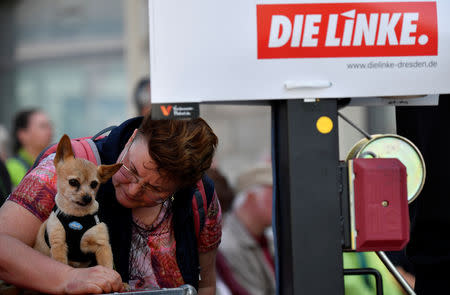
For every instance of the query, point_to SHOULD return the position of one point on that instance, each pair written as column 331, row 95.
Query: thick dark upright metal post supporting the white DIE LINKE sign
column 307, row 198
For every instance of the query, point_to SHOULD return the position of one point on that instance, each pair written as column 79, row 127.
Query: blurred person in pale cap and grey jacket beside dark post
column 244, row 244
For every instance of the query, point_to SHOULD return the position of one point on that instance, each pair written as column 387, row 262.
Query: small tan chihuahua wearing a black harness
column 73, row 233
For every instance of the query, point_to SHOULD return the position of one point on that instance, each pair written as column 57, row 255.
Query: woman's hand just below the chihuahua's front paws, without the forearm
column 94, row 280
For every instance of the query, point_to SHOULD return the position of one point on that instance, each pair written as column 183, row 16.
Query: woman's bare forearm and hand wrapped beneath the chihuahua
column 22, row 266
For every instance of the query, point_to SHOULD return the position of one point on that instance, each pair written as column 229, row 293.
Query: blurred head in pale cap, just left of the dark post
column 253, row 204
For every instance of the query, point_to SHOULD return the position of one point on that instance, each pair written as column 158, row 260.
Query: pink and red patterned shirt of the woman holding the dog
column 152, row 261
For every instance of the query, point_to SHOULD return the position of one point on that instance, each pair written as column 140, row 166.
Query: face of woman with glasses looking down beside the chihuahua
column 138, row 182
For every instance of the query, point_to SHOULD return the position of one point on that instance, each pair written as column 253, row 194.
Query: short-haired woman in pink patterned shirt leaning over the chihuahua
column 160, row 159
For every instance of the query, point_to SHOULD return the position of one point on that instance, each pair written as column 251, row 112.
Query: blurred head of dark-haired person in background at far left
column 32, row 131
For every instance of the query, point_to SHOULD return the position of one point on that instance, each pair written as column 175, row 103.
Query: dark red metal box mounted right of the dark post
column 378, row 192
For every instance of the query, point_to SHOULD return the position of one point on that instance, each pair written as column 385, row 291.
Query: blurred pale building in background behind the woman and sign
column 79, row 61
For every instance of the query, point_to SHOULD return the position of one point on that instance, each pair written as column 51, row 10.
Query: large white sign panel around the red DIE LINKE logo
column 207, row 50
